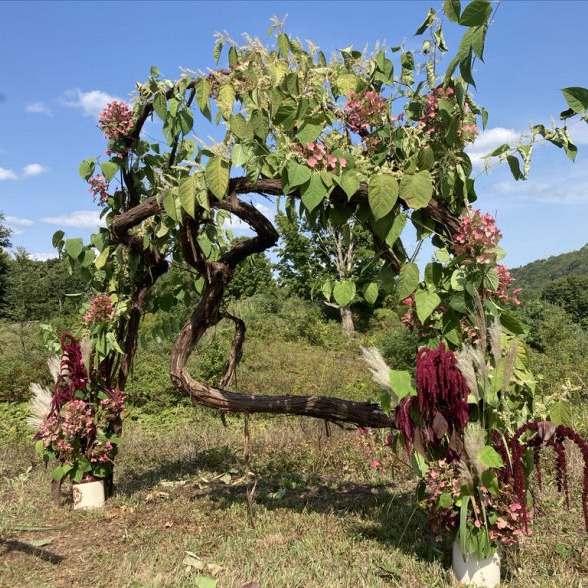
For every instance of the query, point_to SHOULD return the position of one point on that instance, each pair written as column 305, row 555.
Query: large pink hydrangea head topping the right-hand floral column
column 476, row 237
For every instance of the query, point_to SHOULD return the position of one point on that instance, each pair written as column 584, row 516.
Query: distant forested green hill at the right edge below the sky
column 539, row 274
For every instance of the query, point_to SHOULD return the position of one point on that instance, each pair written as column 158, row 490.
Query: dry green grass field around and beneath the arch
column 296, row 503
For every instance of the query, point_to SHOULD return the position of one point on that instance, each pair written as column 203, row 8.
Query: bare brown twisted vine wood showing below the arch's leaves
column 208, row 311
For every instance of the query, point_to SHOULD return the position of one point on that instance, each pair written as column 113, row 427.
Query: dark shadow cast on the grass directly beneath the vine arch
column 384, row 512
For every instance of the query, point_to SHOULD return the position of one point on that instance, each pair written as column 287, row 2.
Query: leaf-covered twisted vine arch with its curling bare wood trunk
column 379, row 137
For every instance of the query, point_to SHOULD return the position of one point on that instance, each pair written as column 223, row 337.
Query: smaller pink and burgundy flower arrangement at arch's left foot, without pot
column 78, row 430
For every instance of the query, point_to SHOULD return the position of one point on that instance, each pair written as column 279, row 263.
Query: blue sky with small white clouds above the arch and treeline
column 62, row 61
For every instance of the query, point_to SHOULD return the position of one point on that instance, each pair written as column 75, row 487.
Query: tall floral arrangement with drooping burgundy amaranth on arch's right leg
column 466, row 418
